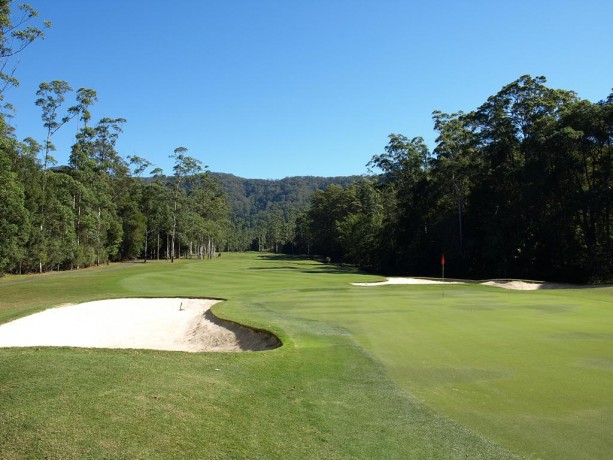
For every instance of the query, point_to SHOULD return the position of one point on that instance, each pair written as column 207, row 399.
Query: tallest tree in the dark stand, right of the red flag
column 513, row 191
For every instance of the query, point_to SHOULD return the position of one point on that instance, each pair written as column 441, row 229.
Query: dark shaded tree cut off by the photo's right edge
column 583, row 184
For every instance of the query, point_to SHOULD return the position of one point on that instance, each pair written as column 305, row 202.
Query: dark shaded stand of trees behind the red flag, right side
column 520, row 187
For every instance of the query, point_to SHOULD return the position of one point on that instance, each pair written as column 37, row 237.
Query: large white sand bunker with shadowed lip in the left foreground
column 158, row 324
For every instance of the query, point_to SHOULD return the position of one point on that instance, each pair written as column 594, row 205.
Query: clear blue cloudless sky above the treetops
column 275, row 88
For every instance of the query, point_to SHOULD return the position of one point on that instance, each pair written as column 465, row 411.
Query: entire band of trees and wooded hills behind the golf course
column 520, row 187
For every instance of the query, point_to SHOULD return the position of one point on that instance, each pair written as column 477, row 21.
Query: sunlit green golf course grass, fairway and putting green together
column 399, row 371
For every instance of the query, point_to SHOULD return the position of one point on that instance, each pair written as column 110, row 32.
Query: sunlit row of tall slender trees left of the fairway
column 95, row 209
